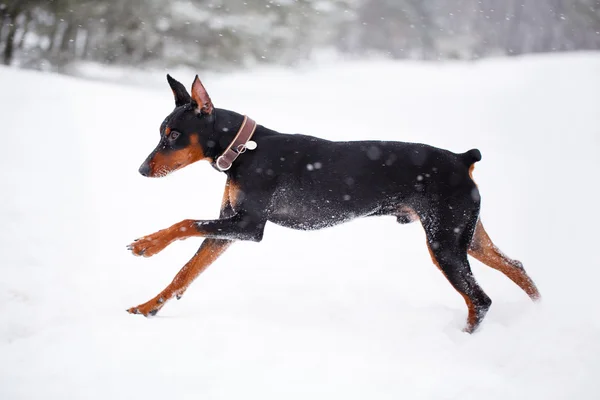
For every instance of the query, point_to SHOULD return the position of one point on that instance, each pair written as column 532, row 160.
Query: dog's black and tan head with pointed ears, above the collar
column 185, row 133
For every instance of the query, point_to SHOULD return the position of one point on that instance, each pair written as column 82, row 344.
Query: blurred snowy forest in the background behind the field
column 223, row 34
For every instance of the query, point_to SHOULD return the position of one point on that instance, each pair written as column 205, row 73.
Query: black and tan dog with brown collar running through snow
column 304, row 182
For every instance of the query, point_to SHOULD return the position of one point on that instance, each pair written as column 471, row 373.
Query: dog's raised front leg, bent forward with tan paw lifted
column 240, row 226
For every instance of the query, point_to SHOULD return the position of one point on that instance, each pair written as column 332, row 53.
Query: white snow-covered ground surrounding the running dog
column 300, row 315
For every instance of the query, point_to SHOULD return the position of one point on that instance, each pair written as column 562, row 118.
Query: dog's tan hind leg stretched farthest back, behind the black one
column 484, row 250
